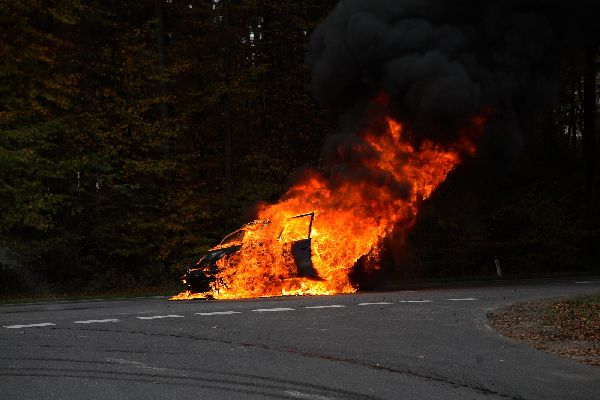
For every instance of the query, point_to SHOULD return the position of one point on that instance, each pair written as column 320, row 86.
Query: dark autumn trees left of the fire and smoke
column 97, row 189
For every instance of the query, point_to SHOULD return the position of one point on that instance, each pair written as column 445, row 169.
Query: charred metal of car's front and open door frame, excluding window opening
column 202, row 276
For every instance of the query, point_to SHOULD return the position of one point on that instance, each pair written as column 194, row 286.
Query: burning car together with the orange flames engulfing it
column 283, row 254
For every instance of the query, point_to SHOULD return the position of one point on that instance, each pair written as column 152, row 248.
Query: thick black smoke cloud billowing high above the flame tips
column 441, row 61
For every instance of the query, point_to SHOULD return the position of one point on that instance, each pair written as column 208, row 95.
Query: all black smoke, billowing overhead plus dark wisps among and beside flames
column 440, row 62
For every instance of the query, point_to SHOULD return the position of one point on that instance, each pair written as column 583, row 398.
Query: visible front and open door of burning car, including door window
column 203, row 275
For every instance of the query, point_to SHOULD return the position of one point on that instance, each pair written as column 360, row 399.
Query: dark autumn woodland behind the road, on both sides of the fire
column 133, row 135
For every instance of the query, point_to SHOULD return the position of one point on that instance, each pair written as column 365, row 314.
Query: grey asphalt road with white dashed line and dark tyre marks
column 425, row 344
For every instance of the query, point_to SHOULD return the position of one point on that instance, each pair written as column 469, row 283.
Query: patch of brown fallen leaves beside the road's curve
column 566, row 327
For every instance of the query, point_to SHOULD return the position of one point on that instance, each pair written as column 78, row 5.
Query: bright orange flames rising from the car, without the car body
column 351, row 219
